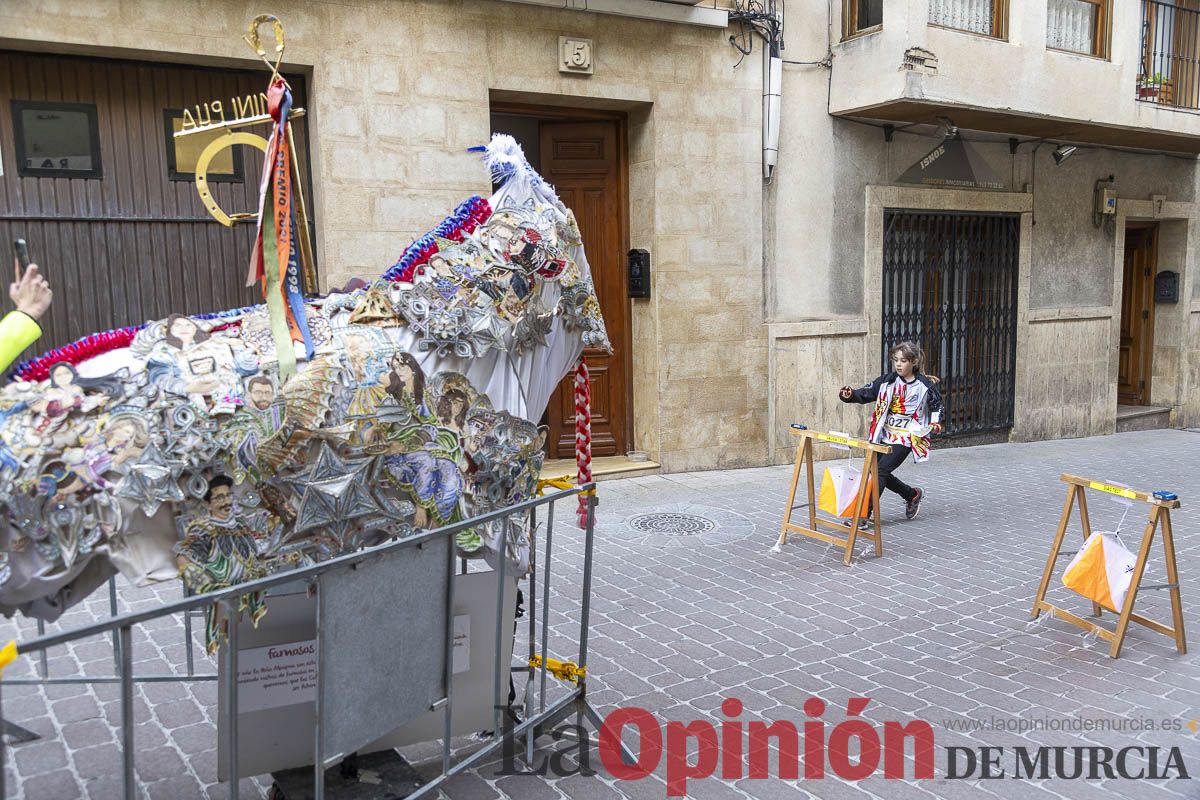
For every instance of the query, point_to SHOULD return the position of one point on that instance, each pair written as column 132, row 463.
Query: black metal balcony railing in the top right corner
column 1171, row 55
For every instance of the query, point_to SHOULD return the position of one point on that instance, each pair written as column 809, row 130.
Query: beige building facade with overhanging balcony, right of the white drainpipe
column 1018, row 89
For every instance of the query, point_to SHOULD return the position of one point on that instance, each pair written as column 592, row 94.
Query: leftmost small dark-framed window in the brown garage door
column 56, row 140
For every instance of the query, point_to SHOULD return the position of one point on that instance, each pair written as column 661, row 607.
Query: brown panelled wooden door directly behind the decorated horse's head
column 585, row 164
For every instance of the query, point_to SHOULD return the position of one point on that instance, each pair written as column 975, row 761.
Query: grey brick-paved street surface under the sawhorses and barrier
column 694, row 609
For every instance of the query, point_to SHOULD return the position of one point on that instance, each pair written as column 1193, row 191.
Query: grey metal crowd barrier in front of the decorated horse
column 543, row 718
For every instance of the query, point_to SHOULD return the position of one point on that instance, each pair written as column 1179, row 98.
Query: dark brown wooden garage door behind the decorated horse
column 121, row 240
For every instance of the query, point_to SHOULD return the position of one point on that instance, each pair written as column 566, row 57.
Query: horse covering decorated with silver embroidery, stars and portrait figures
column 181, row 448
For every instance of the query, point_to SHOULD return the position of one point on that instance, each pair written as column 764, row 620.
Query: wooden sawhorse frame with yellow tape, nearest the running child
column 871, row 484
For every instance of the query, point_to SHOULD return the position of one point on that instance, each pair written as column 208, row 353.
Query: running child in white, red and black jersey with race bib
column 908, row 411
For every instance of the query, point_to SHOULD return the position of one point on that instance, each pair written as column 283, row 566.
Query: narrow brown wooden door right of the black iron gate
column 1137, row 317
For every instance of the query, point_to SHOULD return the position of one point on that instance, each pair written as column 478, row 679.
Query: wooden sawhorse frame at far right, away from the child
column 1160, row 518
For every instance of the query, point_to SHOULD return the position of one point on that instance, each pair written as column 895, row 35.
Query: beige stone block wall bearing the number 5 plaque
column 399, row 89
